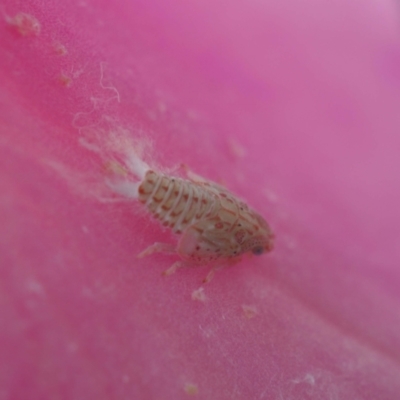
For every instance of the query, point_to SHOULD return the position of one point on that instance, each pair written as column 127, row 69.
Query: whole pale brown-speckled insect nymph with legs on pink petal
column 216, row 227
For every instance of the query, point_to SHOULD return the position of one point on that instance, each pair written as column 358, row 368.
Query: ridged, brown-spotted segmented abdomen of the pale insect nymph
column 175, row 202
